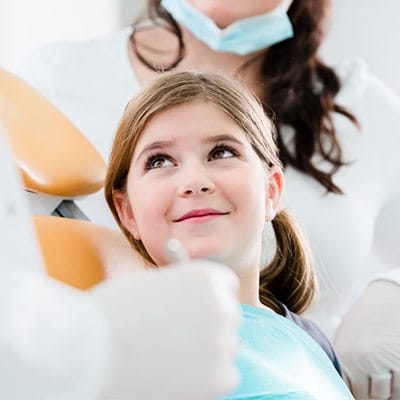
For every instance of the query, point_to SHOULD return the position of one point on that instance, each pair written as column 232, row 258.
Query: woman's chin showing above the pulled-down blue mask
column 224, row 12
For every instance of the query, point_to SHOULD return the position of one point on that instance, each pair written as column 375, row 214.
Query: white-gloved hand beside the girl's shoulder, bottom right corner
column 368, row 343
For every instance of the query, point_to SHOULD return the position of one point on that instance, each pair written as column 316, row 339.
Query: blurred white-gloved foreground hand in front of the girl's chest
column 174, row 332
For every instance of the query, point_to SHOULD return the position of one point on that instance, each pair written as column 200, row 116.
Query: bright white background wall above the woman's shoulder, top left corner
column 25, row 24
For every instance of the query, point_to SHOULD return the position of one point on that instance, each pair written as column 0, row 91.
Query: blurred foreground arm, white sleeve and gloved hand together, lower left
column 171, row 334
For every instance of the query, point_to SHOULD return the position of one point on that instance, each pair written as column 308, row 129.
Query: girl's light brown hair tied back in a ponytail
column 290, row 277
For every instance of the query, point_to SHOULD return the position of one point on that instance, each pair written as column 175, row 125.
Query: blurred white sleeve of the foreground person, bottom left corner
column 53, row 341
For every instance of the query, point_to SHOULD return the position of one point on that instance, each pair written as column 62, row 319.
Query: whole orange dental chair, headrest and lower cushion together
column 58, row 164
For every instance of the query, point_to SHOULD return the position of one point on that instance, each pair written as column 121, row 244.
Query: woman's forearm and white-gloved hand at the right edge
column 368, row 339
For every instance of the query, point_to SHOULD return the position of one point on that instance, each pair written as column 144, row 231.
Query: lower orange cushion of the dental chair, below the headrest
column 80, row 253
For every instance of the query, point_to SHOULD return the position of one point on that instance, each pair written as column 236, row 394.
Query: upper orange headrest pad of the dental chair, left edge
column 51, row 153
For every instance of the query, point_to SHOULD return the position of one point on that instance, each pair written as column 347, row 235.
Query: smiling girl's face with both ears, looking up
column 194, row 177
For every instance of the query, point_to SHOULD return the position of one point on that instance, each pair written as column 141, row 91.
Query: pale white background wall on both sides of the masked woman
column 359, row 28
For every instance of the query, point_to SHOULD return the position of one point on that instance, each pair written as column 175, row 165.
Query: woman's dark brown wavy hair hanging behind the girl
column 298, row 87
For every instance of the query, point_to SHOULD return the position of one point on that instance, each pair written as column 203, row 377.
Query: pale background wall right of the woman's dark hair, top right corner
column 368, row 29
